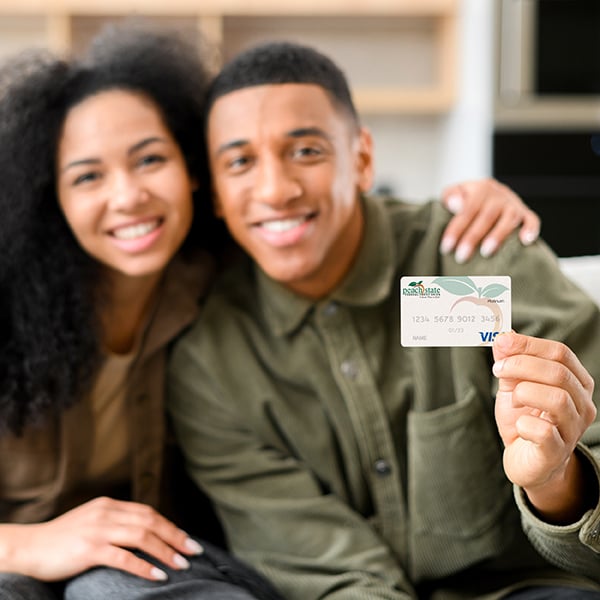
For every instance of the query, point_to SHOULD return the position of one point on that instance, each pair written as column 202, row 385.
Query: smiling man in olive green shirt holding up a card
column 344, row 465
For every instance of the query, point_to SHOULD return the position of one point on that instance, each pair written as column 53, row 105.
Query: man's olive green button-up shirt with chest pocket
column 344, row 465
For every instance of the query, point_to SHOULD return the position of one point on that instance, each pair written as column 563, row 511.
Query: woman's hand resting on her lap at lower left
column 101, row 532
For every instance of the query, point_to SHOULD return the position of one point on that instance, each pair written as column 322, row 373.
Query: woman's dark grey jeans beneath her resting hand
column 214, row 575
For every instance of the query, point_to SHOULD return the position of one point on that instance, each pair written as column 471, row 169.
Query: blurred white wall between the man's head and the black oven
column 418, row 156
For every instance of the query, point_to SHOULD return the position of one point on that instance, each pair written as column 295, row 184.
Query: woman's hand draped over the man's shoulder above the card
column 485, row 212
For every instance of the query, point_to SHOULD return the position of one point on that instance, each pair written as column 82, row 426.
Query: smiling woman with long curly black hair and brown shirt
column 105, row 253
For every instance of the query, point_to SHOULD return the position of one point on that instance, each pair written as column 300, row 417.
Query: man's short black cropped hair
column 283, row 62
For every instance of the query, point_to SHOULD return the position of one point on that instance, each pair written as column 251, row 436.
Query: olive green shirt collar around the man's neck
column 368, row 281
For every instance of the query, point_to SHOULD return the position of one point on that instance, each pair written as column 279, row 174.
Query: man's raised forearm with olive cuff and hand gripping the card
column 544, row 407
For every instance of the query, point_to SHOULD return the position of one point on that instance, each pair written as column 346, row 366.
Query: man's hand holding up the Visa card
column 543, row 406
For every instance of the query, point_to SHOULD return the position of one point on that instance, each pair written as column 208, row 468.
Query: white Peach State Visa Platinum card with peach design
column 454, row 311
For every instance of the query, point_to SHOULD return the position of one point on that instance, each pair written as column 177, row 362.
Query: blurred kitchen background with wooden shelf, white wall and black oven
column 451, row 89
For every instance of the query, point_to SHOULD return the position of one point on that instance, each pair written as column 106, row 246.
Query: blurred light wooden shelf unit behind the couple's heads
column 399, row 55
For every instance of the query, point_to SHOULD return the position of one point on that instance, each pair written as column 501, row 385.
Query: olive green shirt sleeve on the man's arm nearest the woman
column 275, row 512
